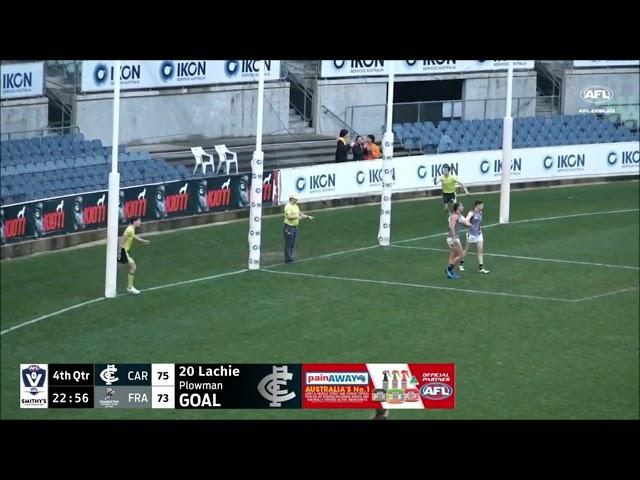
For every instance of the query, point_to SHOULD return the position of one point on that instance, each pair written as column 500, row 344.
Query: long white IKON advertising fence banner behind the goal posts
column 421, row 172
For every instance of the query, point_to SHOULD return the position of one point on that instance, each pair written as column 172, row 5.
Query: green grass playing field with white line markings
column 534, row 339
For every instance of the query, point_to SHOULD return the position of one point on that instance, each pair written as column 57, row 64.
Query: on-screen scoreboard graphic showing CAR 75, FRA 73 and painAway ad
column 254, row 386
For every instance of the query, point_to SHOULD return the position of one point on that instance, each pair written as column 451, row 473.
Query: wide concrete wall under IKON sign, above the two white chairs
column 181, row 114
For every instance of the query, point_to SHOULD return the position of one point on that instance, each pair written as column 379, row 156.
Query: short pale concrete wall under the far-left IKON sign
column 23, row 115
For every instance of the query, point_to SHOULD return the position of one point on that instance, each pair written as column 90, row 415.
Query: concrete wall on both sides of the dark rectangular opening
column 339, row 94
